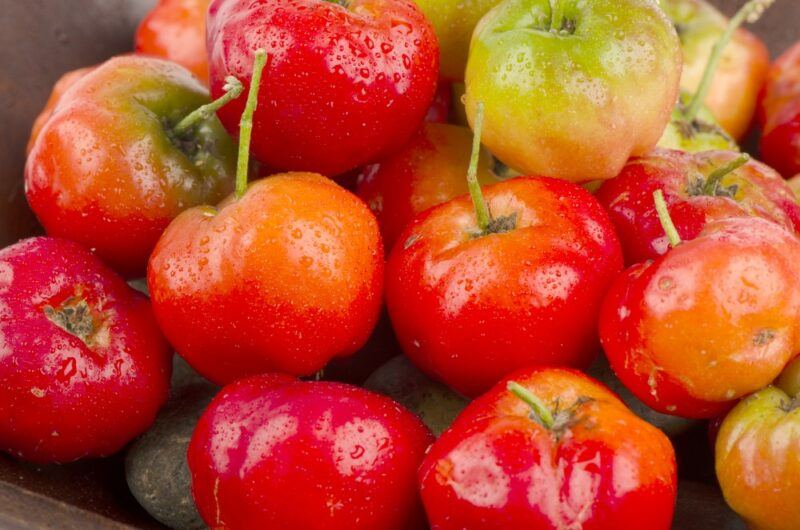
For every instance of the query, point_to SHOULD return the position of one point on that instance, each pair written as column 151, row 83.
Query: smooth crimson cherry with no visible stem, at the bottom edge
column 272, row 452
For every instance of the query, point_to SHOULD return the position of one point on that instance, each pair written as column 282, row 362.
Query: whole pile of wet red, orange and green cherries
column 341, row 130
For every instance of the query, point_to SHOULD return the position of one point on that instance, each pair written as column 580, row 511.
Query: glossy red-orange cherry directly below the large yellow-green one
column 471, row 307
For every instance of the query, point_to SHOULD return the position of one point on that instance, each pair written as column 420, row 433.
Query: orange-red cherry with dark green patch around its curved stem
column 109, row 170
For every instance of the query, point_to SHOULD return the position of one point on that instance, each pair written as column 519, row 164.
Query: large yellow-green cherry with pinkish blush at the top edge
column 585, row 86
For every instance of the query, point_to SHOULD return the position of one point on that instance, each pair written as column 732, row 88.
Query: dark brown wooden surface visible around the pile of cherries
column 41, row 39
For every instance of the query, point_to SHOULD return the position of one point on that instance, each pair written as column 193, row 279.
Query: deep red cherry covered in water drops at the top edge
column 344, row 85
